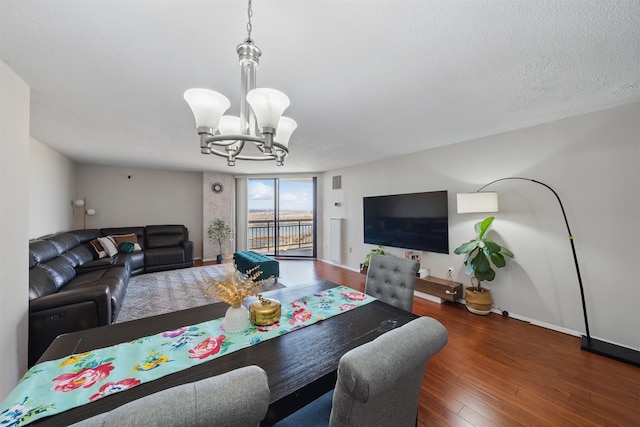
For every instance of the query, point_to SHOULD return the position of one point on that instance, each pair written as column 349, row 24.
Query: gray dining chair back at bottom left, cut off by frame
column 239, row 398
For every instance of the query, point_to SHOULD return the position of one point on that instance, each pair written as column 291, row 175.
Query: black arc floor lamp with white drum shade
column 488, row 202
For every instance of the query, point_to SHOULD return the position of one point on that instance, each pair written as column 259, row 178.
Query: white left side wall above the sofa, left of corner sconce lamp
column 51, row 190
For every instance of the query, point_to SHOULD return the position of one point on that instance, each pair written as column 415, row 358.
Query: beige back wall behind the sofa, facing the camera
column 128, row 197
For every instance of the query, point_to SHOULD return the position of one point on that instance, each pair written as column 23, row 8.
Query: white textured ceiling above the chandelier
column 367, row 79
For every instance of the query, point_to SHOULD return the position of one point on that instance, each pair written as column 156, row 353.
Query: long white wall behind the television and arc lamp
column 591, row 161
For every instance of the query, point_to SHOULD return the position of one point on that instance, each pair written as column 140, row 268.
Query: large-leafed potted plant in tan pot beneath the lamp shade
column 482, row 255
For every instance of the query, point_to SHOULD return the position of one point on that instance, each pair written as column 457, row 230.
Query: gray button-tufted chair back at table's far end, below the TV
column 391, row 280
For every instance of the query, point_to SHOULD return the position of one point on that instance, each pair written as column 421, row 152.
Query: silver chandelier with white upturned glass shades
column 261, row 125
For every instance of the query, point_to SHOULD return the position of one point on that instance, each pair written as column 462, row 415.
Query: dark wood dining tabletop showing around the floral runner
column 300, row 365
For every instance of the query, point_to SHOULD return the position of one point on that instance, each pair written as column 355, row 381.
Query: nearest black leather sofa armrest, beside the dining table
column 98, row 295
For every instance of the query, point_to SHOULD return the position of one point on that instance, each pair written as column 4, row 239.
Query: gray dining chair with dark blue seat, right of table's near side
column 378, row 382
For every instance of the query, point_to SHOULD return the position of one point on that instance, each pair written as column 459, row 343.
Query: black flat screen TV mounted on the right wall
column 417, row 221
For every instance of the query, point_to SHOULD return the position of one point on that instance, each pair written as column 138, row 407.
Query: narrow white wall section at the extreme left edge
column 14, row 227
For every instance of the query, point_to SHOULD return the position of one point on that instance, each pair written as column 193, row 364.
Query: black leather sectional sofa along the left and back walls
column 71, row 287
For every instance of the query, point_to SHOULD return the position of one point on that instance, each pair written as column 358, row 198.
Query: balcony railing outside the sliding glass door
column 292, row 234
